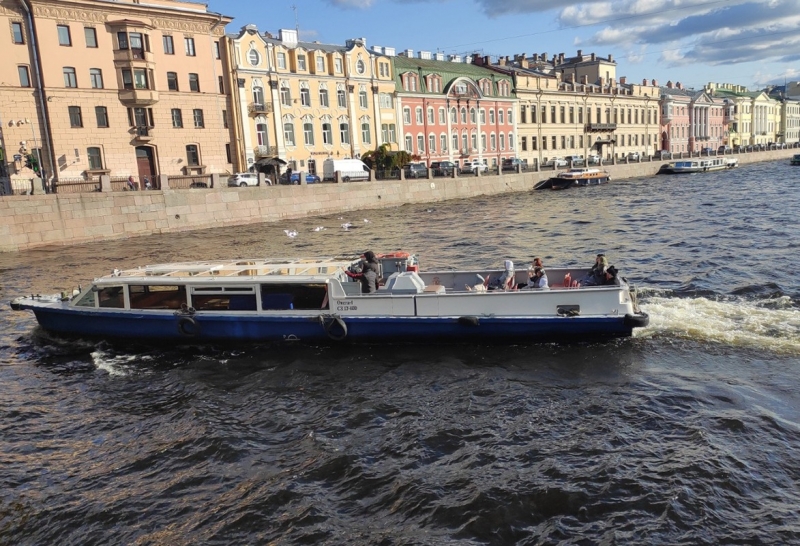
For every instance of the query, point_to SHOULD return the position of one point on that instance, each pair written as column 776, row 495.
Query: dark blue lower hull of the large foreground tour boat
column 230, row 327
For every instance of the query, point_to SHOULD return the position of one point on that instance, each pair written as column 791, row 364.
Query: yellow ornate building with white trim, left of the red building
column 303, row 102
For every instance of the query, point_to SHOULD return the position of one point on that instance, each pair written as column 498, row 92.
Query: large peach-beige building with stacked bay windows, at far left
column 115, row 87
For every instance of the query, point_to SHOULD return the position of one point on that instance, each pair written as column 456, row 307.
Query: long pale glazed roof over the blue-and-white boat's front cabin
column 332, row 267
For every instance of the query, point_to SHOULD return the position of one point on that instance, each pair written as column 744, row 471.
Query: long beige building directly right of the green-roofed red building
column 571, row 107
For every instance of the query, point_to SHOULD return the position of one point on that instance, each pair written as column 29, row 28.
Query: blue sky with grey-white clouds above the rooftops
column 747, row 42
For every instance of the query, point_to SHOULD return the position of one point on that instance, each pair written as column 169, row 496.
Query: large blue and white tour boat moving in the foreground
column 317, row 299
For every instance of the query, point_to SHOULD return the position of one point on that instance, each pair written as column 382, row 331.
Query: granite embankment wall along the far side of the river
column 30, row 221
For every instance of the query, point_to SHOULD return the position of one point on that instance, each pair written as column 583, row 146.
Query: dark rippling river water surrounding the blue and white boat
column 687, row 433
